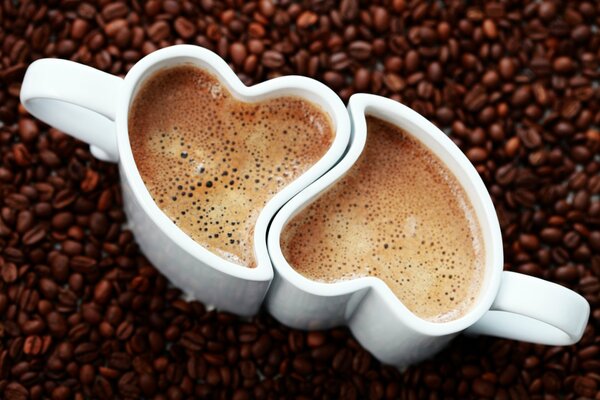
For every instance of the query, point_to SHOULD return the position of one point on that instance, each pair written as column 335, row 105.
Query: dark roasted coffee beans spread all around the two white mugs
column 84, row 315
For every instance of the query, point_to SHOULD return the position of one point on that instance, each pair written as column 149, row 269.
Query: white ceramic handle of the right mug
column 534, row 310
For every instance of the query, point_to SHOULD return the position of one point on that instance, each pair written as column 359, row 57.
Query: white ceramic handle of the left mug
column 77, row 99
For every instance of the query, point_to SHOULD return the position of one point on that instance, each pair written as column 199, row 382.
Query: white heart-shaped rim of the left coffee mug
column 218, row 67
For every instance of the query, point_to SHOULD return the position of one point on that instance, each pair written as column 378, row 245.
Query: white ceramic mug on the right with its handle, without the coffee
column 509, row 305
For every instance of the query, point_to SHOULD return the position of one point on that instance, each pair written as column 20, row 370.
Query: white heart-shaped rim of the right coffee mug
column 361, row 105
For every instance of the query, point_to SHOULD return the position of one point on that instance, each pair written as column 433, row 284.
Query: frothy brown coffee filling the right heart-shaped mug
column 399, row 215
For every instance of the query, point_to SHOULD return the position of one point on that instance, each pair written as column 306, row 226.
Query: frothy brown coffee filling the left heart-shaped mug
column 211, row 162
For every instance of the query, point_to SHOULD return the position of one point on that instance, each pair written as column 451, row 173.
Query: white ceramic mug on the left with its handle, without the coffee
column 93, row 106
